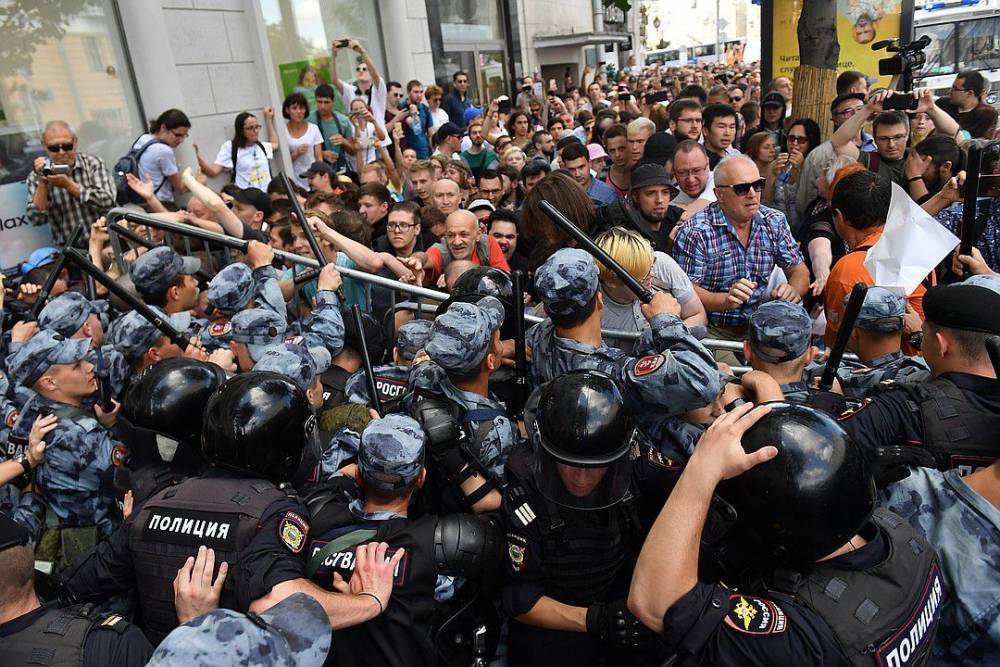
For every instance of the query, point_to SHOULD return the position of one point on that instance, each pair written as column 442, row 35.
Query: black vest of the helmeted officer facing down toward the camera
column 583, row 551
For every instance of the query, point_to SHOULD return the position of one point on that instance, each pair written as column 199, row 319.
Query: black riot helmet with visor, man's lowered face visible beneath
column 579, row 427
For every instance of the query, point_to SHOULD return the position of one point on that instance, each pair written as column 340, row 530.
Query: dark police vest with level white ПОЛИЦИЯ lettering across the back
column 221, row 513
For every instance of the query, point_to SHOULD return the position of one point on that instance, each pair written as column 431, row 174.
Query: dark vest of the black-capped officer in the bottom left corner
column 57, row 639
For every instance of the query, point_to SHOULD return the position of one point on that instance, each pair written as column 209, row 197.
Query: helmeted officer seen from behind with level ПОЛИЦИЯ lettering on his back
column 255, row 427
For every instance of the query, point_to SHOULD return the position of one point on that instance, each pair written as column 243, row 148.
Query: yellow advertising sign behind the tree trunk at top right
column 860, row 23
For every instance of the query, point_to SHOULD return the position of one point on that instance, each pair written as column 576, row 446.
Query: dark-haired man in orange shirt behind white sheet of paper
column 860, row 205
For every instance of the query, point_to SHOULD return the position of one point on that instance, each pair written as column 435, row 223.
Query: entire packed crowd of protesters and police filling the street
column 663, row 465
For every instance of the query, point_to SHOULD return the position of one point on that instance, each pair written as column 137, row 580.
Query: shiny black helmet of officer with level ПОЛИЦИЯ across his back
column 257, row 424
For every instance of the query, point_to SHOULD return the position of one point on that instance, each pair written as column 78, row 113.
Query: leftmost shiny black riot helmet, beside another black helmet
column 161, row 415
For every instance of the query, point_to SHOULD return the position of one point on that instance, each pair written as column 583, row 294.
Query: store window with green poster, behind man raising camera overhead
column 300, row 34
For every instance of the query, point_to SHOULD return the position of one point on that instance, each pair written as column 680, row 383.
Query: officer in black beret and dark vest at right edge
column 955, row 415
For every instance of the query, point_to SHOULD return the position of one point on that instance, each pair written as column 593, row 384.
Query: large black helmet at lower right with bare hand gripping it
column 806, row 502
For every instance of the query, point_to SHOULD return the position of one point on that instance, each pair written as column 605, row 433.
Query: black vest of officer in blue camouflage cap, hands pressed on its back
column 403, row 634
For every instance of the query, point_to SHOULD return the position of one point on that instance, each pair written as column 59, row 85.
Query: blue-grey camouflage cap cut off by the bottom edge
column 296, row 632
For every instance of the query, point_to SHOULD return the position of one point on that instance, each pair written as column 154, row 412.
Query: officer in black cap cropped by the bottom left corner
column 35, row 633
